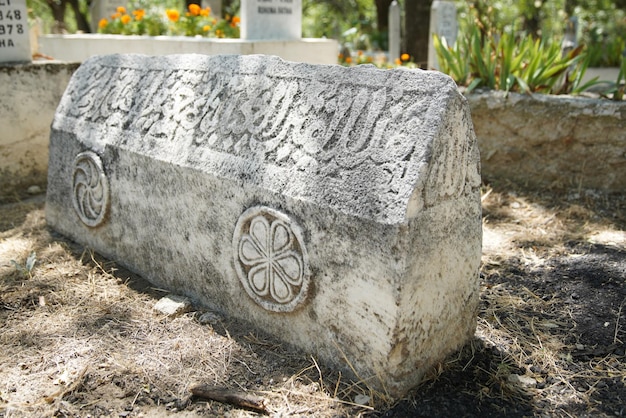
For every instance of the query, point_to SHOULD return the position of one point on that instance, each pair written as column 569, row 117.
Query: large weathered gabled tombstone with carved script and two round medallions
column 337, row 208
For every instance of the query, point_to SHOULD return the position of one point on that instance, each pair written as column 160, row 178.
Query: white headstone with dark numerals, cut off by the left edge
column 14, row 31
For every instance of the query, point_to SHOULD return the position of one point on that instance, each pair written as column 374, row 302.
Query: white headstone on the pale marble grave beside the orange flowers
column 271, row 19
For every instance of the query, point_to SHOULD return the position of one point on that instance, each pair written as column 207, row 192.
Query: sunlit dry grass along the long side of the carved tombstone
column 80, row 337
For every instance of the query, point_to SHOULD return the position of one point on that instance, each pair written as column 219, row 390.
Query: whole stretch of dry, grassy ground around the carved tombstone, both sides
column 79, row 336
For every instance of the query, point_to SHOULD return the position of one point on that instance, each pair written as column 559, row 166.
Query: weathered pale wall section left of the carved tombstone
column 29, row 95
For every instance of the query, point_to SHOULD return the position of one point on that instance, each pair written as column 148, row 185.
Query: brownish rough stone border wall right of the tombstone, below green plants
column 551, row 141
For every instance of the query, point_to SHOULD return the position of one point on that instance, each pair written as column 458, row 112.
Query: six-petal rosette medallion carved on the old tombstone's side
column 270, row 259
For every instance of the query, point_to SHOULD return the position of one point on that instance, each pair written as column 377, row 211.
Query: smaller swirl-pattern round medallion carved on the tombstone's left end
column 90, row 189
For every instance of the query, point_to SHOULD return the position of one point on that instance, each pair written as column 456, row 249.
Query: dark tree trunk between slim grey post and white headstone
column 417, row 26
